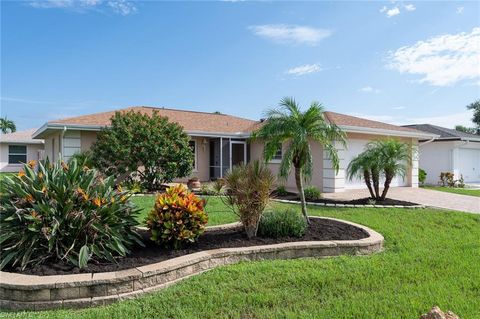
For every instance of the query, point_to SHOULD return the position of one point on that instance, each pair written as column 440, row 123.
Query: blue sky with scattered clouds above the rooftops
column 399, row 62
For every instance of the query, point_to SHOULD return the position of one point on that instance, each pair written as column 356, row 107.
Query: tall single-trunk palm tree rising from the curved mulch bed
column 290, row 126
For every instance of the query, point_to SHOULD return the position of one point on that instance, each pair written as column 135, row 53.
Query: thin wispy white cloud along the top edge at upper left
column 122, row 7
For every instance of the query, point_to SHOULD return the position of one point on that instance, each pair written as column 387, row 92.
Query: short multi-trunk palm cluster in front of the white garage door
column 383, row 158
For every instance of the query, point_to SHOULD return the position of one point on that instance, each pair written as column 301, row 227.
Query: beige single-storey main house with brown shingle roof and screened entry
column 220, row 141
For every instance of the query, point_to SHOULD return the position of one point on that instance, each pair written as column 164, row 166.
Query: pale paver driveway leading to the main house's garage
column 421, row 196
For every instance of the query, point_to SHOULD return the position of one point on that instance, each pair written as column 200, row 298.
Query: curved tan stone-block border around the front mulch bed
column 27, row 292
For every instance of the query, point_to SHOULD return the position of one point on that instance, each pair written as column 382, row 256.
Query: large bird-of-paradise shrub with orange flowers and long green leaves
column 64, row 213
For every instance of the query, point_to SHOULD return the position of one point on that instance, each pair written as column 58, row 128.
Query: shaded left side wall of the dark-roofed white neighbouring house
column 436, row 157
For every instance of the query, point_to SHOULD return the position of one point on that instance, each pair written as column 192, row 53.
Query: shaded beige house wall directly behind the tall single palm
column 256, row 153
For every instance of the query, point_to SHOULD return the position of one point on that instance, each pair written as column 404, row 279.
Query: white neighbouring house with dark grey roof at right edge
column 452, row 151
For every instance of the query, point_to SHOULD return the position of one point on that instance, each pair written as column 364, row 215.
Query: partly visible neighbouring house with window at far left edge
column 17, row 148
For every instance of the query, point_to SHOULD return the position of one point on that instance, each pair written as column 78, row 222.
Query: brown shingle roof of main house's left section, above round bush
column 189, row 120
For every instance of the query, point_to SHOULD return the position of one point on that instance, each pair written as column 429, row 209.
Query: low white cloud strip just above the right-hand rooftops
column 447, row 120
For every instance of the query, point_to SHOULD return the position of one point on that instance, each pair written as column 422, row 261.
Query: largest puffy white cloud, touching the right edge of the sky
column 442, row 60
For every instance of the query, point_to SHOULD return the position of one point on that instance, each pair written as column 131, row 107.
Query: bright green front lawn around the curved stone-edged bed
column 431, row 258
